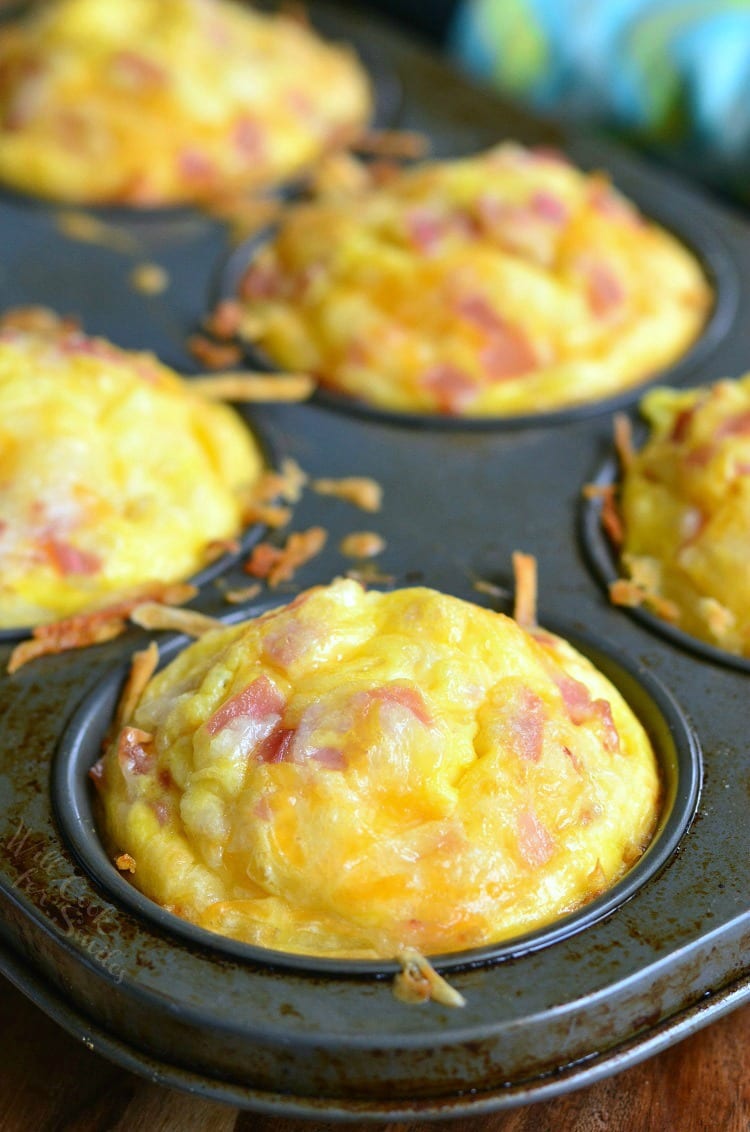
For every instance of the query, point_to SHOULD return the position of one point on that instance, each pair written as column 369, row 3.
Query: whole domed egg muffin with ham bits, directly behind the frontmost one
column 498, row 285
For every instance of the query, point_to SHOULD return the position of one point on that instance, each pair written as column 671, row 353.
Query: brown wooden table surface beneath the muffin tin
column 50, row 1082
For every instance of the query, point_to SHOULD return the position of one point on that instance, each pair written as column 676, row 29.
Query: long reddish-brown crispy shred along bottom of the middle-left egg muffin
column 101, row 625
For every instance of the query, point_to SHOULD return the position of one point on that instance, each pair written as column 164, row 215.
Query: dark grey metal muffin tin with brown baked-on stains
column 666, row 953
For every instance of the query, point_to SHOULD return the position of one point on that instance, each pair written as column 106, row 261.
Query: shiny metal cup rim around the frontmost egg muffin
column 676, row 745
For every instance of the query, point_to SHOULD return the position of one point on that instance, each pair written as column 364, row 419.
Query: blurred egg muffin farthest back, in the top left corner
column 150, row 102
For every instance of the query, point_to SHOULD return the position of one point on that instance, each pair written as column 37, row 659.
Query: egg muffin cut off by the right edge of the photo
column 685, row 512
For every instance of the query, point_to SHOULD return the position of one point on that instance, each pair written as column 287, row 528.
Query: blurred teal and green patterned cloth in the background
column 674, row 75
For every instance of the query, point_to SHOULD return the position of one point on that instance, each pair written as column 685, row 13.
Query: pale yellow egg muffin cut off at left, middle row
column 113, row 473
